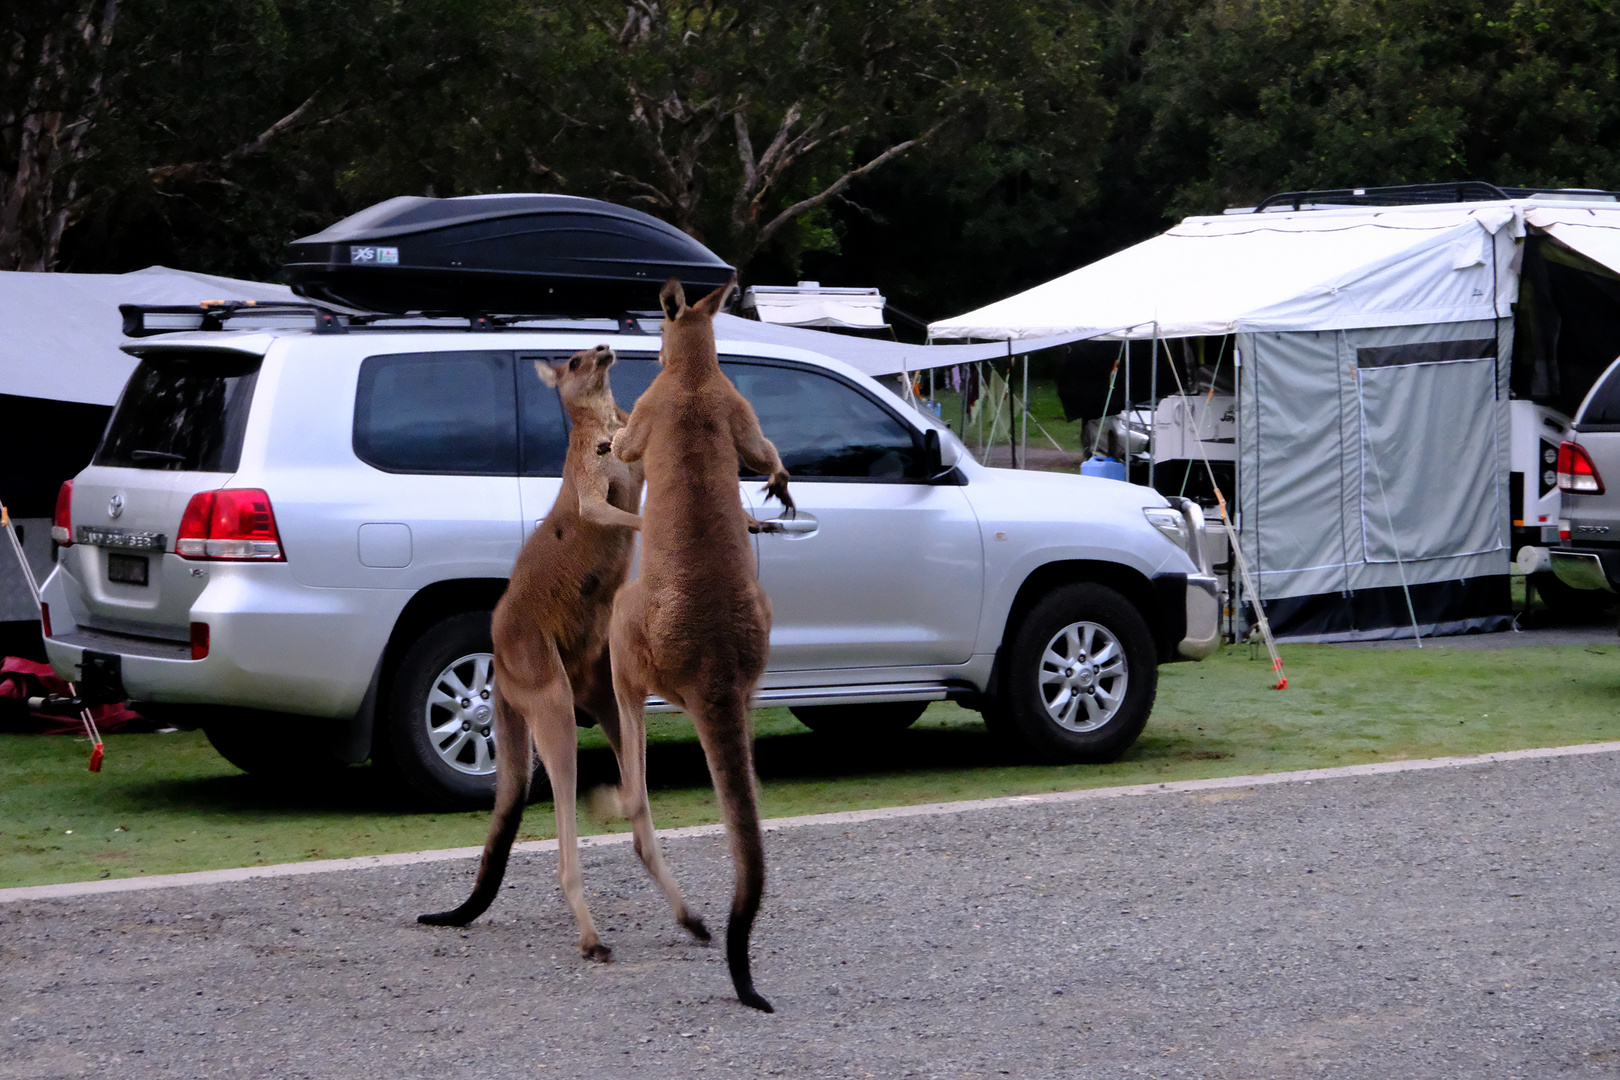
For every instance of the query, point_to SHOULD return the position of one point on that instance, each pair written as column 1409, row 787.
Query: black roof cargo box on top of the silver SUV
column 544, row 255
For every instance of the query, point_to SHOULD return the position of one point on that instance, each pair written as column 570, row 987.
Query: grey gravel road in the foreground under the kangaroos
column 1444, row 924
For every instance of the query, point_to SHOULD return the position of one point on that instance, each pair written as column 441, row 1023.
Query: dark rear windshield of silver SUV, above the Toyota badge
column 182, row 412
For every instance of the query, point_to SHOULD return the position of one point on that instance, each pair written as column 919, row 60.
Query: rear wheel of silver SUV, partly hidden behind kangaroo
column 437, row 733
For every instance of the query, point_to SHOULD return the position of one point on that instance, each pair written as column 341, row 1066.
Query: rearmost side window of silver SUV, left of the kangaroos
column 451, row 414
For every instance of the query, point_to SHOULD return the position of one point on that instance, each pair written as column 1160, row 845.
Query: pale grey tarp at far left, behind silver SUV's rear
column 62, row 331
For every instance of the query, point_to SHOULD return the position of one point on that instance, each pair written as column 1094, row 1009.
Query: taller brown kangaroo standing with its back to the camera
column 696, row 627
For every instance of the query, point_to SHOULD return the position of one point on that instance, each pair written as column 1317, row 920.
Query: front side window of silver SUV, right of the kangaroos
column 825, row 428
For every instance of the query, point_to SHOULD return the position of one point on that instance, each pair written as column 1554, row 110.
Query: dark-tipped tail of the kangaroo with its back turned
column 730, row 749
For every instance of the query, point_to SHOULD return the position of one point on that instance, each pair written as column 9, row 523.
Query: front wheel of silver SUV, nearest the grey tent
column 1057, row 697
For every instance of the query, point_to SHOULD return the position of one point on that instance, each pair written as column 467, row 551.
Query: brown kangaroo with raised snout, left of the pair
column 552, row 650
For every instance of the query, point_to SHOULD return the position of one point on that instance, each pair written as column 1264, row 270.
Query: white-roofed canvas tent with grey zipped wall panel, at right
column 1376, row 352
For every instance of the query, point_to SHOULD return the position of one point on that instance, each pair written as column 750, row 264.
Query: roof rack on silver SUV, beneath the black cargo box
column 213, row 315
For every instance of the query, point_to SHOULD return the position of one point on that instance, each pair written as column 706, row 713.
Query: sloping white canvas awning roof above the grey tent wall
column 1290, row 271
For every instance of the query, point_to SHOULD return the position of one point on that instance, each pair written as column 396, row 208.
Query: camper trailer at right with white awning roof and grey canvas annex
column 1381, row 373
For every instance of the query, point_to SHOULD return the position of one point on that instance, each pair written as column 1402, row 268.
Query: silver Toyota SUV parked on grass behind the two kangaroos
column 312, row 525
